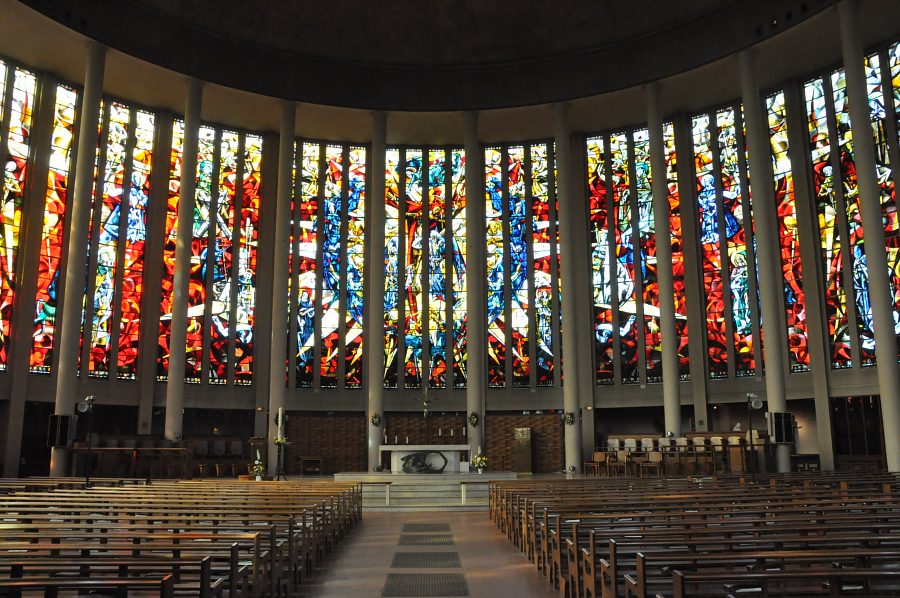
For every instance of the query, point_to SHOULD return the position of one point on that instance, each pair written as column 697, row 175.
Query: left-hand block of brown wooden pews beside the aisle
column 206, row 538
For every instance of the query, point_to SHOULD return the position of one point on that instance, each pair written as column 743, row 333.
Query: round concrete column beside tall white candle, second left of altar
column 278, row 337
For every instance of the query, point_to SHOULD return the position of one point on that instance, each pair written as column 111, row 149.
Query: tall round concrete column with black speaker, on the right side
column 767, row 254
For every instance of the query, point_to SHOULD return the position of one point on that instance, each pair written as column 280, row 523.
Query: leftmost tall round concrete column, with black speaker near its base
column 70, row 318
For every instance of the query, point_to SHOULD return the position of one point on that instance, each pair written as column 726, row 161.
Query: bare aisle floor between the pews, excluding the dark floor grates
column 492, row 566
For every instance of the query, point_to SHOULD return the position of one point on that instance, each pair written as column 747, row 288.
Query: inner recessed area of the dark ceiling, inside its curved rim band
column 433, row 32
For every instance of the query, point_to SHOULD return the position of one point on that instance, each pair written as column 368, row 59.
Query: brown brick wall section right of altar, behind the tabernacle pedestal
column 547, row 452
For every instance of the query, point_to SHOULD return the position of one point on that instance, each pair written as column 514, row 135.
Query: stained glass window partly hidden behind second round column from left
column 221, row 298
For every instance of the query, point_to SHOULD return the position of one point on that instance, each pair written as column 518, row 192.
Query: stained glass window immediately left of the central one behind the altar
column 327, row 261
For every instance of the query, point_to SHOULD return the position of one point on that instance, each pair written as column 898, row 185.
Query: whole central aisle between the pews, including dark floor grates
column 490, row 566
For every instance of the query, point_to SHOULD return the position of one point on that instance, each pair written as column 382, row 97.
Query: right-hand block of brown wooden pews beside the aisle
column 814, row 534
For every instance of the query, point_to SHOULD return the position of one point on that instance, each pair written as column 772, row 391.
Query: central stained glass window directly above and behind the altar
column 431, row 246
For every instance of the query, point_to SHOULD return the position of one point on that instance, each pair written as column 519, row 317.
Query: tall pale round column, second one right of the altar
column 569, row 219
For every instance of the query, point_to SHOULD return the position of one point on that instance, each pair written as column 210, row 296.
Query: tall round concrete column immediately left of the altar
column 373, row 352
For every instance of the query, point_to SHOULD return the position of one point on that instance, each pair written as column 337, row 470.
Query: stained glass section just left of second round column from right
column 727, row 255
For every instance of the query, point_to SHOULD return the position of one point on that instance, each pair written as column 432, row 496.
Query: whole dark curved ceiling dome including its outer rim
column 428, row 56
